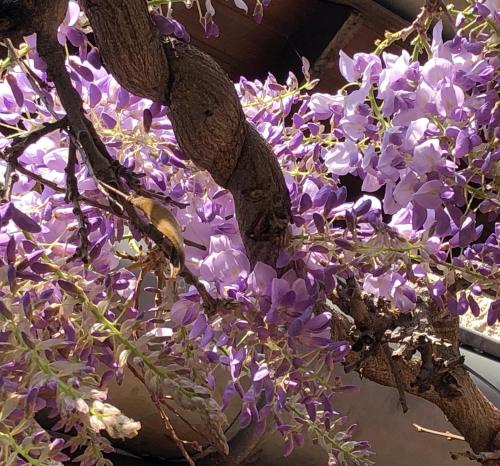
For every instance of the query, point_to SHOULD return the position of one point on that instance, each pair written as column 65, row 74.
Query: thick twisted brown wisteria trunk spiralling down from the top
column 207, row 119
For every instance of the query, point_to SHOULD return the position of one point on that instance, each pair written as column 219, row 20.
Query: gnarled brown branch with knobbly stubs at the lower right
column 429, row 368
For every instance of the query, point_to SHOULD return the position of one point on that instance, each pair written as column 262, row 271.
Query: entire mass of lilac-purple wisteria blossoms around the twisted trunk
column 417, row 135
